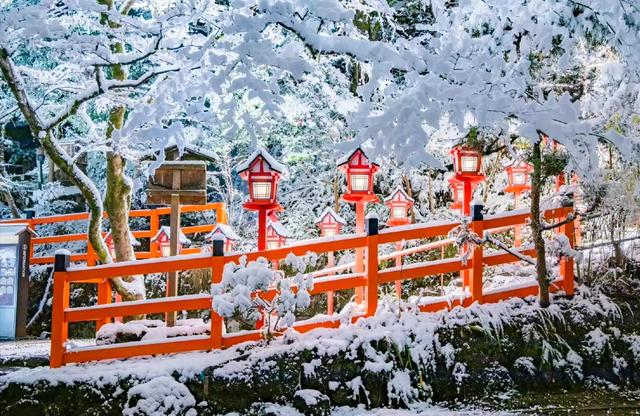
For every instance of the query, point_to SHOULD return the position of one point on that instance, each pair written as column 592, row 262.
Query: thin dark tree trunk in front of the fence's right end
column 536, row 225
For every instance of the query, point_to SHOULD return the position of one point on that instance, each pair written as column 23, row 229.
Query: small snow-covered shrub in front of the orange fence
column 251, row 290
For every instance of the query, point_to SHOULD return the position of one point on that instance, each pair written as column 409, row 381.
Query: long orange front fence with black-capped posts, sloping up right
column 366, row 281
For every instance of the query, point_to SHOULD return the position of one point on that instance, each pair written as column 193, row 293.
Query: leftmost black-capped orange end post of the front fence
column 59, row 327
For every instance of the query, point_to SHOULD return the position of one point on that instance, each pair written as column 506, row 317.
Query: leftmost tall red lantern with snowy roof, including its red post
column 263, row 173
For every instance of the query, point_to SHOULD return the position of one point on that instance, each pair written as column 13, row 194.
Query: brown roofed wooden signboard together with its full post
column 175, row 183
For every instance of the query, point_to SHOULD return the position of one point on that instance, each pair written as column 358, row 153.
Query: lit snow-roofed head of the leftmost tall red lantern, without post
column 262, row 172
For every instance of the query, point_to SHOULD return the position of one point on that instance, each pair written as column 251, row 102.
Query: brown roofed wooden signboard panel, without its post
column 188, row 179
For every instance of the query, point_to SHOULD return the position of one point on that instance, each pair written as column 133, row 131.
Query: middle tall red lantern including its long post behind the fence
column 359, row 171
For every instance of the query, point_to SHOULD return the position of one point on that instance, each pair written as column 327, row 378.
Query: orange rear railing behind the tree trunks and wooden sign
column 154, row 225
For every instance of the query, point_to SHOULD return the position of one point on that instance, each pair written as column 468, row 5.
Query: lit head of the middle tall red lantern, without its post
column 360, row 173
